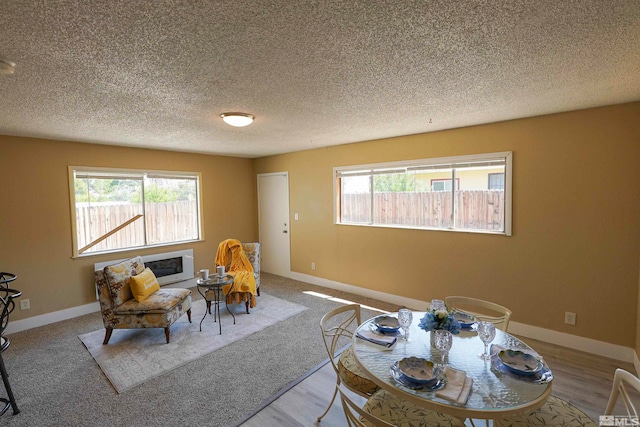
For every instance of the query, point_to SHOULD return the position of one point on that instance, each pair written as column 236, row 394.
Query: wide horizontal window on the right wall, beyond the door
column 419, row 194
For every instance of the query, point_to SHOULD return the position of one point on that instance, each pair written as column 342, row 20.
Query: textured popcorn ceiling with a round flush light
column 158, row 73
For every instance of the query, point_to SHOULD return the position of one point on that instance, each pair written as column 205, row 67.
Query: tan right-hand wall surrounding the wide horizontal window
column 576, row 223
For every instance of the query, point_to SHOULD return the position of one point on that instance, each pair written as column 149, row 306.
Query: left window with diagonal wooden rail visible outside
column 114, row 210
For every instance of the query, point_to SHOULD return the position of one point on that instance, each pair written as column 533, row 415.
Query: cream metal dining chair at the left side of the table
column 338, row 327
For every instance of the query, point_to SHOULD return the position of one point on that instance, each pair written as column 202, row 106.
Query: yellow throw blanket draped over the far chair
column 244, row 282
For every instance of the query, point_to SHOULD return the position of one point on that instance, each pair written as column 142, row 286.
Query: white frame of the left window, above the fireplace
column 132, row 173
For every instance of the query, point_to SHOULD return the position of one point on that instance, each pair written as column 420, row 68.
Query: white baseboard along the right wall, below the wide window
column 600, row 348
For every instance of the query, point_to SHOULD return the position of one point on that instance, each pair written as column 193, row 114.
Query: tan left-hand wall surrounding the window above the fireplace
column 35, row 218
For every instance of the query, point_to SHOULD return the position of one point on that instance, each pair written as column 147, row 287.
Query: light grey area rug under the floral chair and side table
column 134, row 356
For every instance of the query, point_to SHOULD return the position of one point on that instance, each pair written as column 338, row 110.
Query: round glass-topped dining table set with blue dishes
column 496, row 393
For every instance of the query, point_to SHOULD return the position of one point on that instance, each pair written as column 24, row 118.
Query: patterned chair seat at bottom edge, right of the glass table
column 554, row 412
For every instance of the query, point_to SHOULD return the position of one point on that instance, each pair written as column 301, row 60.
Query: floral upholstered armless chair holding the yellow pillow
column 120, row 310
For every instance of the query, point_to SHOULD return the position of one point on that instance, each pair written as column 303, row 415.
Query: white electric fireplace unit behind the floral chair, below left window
column 169, row 267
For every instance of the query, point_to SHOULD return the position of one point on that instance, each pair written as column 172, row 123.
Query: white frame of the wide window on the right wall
column 454, row 160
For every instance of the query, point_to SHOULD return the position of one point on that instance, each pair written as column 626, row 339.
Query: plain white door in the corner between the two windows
column 273, row 217
